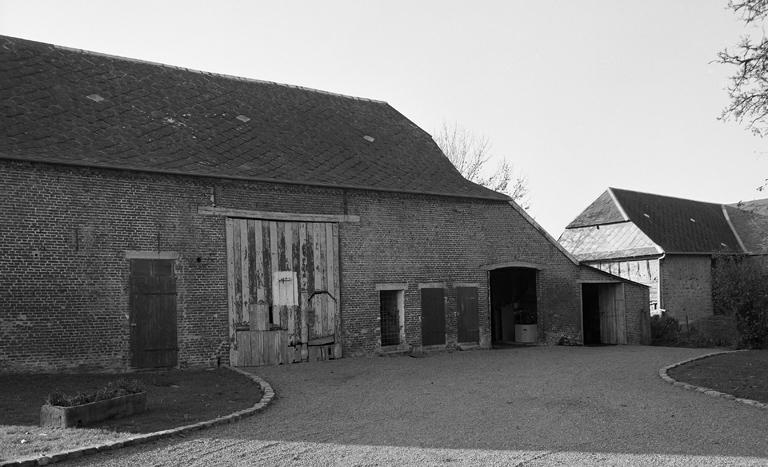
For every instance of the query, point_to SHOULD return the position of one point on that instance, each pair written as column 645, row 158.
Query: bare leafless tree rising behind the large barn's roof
column 470, row 154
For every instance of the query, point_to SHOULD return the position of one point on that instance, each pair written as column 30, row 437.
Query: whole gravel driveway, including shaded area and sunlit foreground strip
column 523, row 406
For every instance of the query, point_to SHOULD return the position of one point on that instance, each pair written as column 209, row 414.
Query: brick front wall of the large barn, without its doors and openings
column 64, row 278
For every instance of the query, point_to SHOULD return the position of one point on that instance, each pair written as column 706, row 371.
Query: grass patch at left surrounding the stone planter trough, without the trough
column 174, row 398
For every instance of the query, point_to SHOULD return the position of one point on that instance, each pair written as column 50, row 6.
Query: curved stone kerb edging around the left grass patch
column 266, row 399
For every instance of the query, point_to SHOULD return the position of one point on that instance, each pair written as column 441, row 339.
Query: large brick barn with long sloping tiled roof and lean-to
column 155, row 216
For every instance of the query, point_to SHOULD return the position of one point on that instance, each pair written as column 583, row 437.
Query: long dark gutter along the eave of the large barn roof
column 257, row 179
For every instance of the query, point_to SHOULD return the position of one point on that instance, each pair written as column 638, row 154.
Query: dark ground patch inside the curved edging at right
column 743, row 374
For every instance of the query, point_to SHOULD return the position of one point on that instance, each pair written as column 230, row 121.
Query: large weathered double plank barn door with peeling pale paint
column 283, row 288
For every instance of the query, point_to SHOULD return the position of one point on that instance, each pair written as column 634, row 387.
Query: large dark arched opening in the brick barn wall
column 514, row 316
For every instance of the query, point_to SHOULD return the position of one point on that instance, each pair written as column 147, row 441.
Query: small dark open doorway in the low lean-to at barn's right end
column 603, row 314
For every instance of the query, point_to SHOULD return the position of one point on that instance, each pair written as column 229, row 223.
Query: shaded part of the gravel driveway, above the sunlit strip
column 599, row 399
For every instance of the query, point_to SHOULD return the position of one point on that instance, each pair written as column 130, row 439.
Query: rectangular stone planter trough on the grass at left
column 87, row 414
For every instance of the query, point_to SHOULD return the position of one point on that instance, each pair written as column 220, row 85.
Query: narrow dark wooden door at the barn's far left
column 153, row 314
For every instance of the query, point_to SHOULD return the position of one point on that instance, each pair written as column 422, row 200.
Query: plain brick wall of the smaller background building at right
column 686, row 286
